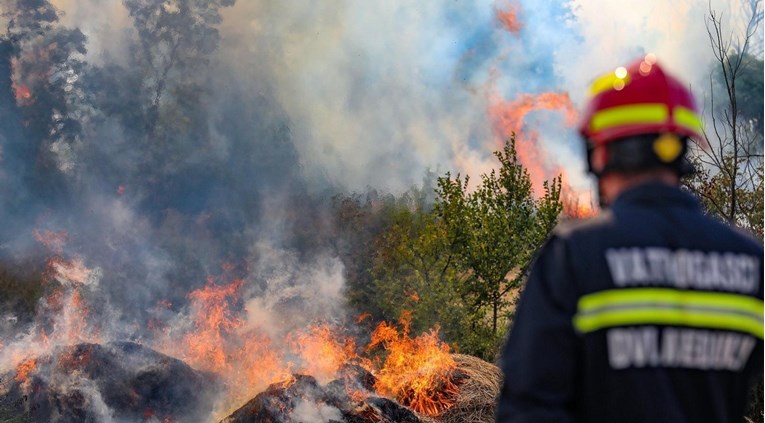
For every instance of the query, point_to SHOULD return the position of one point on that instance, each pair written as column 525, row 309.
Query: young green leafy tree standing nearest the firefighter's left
column 494, row 232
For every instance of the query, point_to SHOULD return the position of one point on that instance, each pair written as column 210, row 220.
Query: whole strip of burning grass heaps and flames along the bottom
column 313, row 372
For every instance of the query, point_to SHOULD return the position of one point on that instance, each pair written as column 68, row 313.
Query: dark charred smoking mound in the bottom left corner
column 91, row 383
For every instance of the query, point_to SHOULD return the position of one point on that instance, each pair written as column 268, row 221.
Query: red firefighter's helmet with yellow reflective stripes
column 636, row 100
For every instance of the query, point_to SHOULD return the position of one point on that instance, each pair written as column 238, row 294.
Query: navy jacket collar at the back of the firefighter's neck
column 656, row 194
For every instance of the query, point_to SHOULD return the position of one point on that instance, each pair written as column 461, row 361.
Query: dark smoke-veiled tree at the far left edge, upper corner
column 41, row 96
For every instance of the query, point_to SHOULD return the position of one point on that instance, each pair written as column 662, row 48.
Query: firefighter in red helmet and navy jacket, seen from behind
column 651, row 311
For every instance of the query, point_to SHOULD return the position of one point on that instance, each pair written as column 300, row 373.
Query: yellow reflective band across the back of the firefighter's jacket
column 664, row 306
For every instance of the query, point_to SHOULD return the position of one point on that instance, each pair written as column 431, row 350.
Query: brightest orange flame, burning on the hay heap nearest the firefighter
column 417, row 371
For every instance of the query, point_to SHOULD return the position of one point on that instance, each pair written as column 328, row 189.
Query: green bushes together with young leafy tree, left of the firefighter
column 455, row 265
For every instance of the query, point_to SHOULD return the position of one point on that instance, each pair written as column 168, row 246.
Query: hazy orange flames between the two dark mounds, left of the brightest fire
column 248, row 359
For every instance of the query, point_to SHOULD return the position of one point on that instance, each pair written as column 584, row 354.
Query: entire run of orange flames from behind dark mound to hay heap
column 416, row 371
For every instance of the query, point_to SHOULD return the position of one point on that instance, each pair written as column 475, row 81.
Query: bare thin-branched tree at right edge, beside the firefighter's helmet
column 729, row 180
